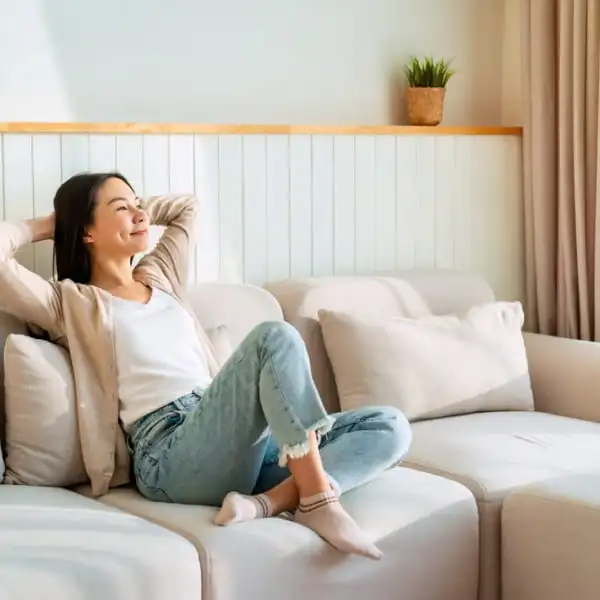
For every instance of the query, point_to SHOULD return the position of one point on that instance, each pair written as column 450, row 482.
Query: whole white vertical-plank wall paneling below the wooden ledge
column 278, row 206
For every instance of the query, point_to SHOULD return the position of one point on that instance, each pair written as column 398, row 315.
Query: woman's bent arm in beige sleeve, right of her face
column 171, row 255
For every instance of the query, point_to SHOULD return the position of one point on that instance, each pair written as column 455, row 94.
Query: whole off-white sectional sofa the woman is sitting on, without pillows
column 437, row 517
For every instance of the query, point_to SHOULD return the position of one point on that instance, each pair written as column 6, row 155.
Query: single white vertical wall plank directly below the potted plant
column 425, row 241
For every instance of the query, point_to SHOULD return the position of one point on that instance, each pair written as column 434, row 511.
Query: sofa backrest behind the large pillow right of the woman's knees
column 406, row 293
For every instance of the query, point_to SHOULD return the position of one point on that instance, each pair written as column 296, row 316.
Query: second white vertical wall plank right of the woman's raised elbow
column 231, row 217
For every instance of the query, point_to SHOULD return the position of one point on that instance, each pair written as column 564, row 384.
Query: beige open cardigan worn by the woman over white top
column 79, row 317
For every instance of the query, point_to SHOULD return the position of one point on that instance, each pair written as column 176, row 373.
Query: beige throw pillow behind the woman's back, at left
column 42, row 439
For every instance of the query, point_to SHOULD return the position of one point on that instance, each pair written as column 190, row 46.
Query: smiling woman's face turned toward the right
column 120, row 226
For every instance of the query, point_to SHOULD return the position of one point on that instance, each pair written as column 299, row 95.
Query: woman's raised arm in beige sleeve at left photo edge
column 25, row 294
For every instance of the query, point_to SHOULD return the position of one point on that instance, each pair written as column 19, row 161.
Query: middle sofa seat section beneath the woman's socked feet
column 425, row 525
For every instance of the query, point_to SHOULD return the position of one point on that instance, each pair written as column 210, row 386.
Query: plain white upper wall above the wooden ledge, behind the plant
column 243, row 61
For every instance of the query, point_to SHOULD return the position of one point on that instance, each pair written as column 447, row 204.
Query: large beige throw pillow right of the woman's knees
column 433, row 366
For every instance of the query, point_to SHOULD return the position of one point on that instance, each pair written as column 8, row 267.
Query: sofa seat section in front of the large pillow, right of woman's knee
column 495, row 453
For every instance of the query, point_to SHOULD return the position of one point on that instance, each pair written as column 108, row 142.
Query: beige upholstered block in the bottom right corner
column 551, row 540
